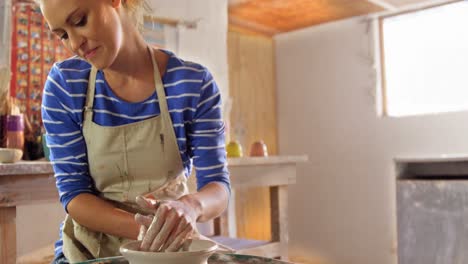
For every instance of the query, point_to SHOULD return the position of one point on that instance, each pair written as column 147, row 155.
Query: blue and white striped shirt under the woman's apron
column 194, row 104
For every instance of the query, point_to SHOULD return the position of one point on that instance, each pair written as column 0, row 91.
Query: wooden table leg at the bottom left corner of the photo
column 8, row 235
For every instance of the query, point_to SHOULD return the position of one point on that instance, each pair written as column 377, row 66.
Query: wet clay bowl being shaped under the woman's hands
column 198, row 253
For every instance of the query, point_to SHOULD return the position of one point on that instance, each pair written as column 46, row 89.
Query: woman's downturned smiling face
column 91, row 29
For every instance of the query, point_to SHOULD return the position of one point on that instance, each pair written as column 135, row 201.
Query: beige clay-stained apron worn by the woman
column 140, row 158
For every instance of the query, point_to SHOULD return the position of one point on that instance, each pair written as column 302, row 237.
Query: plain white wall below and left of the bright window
column 343, row 206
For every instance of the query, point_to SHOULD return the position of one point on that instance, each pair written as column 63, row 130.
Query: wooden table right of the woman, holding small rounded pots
column 275, row 172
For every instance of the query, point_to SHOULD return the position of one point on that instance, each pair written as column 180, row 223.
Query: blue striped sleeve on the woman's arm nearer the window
column 206, row 137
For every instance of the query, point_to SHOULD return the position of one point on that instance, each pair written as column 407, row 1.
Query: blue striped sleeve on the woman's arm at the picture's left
column 65, row 139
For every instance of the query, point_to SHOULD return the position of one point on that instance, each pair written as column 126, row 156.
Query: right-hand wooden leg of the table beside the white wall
column 279, row 218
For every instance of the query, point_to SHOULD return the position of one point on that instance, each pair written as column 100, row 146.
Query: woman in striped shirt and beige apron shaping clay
column 124, row 122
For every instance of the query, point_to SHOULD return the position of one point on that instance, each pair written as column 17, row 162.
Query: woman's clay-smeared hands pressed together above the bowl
column 171, row 226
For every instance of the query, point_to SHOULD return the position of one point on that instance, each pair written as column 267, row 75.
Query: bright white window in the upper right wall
column 425, row 60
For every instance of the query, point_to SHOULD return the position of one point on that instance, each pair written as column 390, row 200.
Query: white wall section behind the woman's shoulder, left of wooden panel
column 207, row 43
